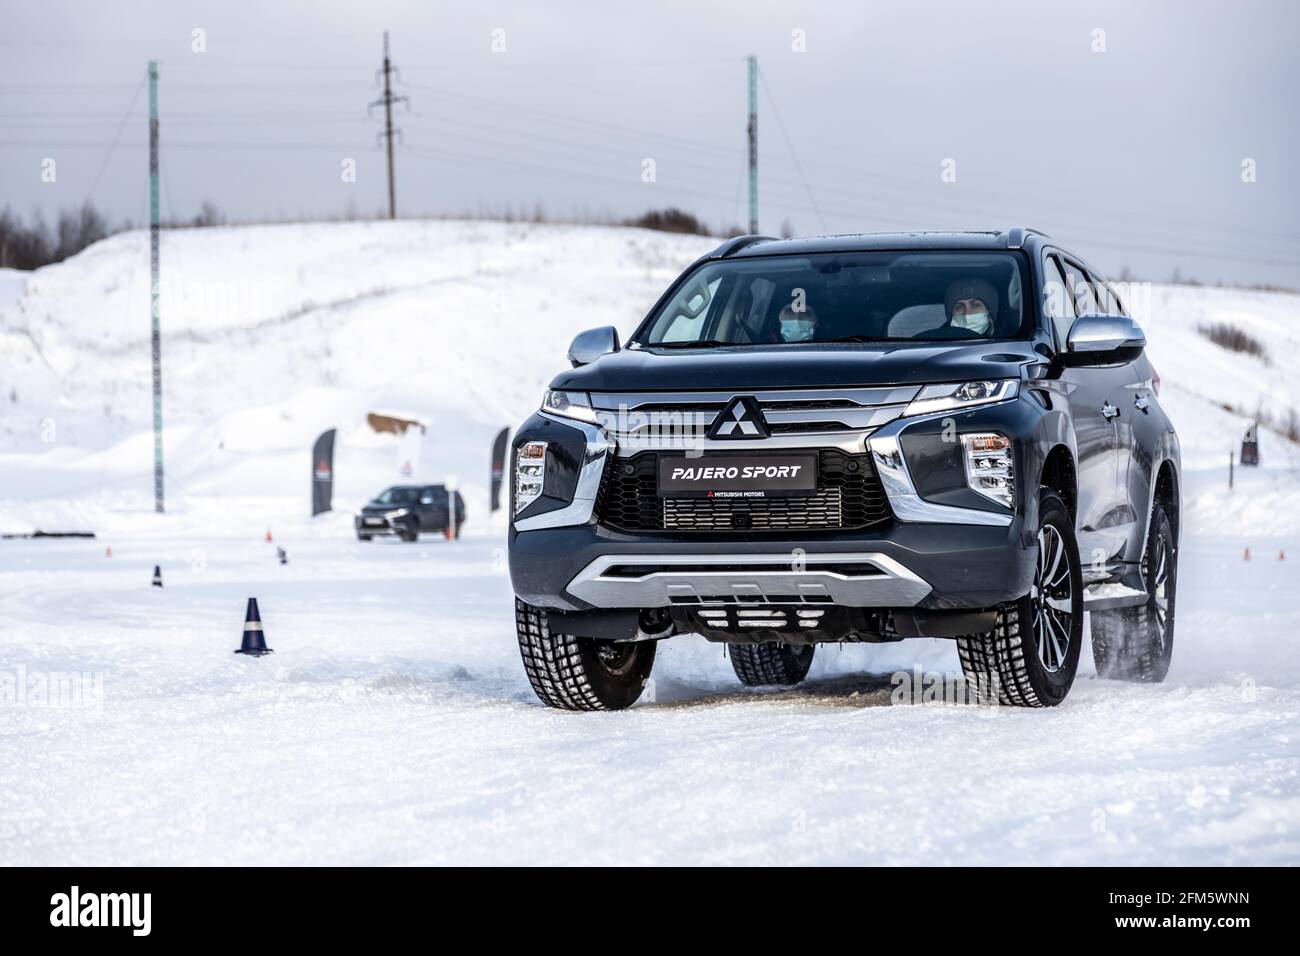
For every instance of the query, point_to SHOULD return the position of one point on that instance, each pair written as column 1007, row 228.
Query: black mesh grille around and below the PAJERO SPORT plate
column 850, row 496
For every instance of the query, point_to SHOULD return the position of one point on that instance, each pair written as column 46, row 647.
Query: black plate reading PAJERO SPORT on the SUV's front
column 738, row 477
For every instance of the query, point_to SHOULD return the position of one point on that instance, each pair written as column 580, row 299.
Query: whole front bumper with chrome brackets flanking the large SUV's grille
column 943, row 551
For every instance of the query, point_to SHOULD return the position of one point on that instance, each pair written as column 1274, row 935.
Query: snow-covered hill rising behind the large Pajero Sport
column 274, row 334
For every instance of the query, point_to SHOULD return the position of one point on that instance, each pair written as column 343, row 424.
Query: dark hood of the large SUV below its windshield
column 800, row 366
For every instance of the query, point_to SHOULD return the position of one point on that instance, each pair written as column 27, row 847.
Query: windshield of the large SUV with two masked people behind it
column 844, row 297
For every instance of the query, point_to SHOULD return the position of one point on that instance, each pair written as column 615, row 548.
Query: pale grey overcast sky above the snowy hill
column 1133, row 154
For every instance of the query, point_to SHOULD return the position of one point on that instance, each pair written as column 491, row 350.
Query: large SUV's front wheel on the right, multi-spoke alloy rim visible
column 1030, row 659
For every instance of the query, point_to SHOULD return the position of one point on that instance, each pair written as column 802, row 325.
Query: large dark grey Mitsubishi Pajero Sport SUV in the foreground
column 853, row 439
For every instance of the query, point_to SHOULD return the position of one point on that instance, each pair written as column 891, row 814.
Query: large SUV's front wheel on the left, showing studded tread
column 575, row 673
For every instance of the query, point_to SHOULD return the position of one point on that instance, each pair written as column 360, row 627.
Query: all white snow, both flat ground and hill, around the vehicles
column 395, row 724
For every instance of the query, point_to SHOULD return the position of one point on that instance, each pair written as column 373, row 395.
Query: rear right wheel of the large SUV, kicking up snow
column 1137, row 643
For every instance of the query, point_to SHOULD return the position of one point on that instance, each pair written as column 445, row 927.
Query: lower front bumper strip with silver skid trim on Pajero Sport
column 928, row 566
